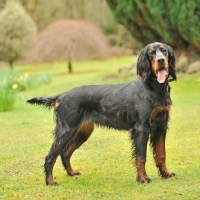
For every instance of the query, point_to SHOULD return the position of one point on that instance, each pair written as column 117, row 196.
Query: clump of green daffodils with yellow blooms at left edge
column 11, row 82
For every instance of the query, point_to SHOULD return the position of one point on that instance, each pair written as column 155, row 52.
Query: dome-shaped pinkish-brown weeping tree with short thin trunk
column 70, row 40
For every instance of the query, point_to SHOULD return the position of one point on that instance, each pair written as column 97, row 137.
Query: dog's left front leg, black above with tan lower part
column 140, row 139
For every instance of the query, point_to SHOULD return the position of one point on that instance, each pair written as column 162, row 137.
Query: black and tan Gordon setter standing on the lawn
column 141, row 107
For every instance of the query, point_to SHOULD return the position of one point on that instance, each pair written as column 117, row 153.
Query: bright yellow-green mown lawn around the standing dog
column 104, row 161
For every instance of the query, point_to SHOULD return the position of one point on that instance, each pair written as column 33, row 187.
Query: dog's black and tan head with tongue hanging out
column 157, row 60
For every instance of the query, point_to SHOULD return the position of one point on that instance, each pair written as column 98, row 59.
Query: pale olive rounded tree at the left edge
column 16, row 30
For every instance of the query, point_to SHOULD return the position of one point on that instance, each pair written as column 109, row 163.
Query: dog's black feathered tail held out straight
column 45, row 101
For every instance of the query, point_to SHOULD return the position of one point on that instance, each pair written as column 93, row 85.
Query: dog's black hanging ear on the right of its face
column 172, row 62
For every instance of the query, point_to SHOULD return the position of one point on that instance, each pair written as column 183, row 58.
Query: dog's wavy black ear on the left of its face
column 143, row 64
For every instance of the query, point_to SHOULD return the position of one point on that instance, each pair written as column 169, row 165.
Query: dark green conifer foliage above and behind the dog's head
column 173, row 22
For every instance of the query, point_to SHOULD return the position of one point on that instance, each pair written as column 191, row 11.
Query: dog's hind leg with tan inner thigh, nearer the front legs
column 83, row 133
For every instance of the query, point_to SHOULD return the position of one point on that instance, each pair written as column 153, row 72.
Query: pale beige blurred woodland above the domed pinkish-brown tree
column 47, row 11
